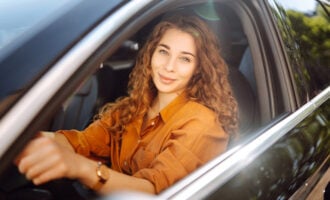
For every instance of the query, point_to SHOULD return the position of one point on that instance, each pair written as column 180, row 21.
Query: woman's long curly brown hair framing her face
column 208, row 86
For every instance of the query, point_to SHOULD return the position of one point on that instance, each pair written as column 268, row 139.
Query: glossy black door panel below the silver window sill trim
column 281, row 170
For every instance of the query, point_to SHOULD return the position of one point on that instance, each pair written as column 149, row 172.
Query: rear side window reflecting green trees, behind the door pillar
column 305, row 28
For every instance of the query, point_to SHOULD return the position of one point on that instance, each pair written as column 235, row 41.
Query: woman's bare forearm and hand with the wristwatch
column 51, row 157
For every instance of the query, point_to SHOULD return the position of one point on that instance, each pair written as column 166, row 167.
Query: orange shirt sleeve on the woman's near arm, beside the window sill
column 190, row 146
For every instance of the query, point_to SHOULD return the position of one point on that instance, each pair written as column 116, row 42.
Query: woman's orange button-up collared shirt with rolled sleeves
column 184, row 136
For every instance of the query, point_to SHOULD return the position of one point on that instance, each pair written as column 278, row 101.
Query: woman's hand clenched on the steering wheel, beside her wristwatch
column 45, row 159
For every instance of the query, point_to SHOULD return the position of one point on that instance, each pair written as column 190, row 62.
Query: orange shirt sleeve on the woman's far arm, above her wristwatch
column 93, row 141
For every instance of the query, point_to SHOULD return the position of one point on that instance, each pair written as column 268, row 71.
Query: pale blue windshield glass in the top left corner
column 18, row 19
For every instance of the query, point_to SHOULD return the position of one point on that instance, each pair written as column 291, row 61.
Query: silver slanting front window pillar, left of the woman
column 70, row 68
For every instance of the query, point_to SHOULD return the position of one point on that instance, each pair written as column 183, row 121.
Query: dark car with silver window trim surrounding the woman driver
column 60, row 61
